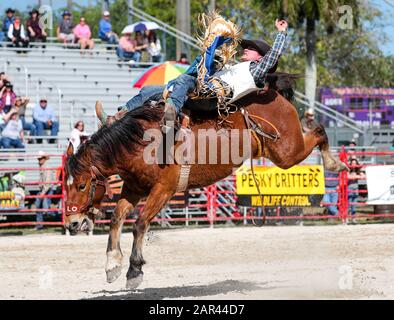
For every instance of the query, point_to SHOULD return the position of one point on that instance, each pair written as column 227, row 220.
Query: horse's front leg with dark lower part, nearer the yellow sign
column 154, row 203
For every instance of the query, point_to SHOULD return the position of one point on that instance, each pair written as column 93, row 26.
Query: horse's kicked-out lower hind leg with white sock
column 330, row 162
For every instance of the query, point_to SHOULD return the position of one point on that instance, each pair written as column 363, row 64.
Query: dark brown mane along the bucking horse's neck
column 110, row 140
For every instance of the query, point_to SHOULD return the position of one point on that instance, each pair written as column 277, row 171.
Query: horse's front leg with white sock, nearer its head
column 113, row 266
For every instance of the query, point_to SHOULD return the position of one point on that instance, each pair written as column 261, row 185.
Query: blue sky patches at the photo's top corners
column 386, row 6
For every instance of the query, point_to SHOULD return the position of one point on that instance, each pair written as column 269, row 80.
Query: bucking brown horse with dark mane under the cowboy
column 119, row 149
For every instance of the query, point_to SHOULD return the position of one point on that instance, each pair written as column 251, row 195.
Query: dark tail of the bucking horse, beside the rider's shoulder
column 284, row 83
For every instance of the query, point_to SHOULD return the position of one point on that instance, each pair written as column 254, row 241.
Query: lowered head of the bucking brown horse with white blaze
column 85, row 188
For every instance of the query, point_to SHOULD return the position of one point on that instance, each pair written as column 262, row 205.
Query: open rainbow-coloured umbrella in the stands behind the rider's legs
column 160, row 74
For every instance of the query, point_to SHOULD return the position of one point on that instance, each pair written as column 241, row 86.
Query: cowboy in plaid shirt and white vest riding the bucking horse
column 258, row 59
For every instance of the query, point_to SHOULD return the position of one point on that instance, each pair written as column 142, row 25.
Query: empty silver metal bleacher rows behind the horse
column 79, row 79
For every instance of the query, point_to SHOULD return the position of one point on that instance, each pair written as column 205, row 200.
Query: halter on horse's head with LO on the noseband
column 97, row 179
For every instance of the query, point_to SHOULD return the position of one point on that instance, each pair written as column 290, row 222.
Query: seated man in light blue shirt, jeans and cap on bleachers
column 44, row 118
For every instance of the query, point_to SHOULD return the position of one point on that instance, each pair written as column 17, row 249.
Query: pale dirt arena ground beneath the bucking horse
column 319, row 262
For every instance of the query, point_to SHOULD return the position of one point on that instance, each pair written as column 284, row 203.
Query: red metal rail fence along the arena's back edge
column 210, row 205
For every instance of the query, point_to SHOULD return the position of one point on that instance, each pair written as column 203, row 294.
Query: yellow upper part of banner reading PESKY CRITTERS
column 298, row 180
